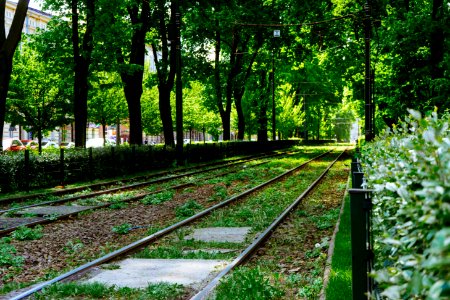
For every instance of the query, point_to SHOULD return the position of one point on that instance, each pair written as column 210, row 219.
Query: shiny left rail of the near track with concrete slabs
column 156, row 235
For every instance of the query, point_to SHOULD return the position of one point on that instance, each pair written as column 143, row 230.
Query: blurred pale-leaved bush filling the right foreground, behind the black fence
column 409, row 170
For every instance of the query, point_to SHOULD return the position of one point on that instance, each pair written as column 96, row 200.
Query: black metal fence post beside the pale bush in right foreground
column 361, row 234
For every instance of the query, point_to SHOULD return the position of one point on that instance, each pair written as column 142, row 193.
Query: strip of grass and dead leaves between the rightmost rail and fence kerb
column 292, row 262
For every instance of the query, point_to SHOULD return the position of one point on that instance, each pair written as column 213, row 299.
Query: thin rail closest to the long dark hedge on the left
column 111, row 182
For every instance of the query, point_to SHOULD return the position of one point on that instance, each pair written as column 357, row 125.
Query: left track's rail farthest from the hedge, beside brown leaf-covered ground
column 5, row 231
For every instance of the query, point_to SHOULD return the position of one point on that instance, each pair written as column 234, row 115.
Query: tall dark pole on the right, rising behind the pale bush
column 369, row 110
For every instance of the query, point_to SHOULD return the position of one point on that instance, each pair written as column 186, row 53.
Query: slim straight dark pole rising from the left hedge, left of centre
column 179, row 91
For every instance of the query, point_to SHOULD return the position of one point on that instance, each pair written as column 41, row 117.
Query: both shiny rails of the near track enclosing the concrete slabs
column 164, row 232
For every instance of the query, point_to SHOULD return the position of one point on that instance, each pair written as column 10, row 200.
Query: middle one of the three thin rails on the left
column 132, row 186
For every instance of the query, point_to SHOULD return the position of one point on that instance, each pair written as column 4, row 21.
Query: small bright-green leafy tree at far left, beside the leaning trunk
column 40, row 102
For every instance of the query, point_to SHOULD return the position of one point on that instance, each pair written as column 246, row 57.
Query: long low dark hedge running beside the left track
column 29, row 170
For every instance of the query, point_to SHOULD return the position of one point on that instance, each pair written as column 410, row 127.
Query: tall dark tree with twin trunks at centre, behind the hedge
column 218, row 27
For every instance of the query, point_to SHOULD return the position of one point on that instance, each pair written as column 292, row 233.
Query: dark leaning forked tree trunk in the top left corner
column 8, row 46
